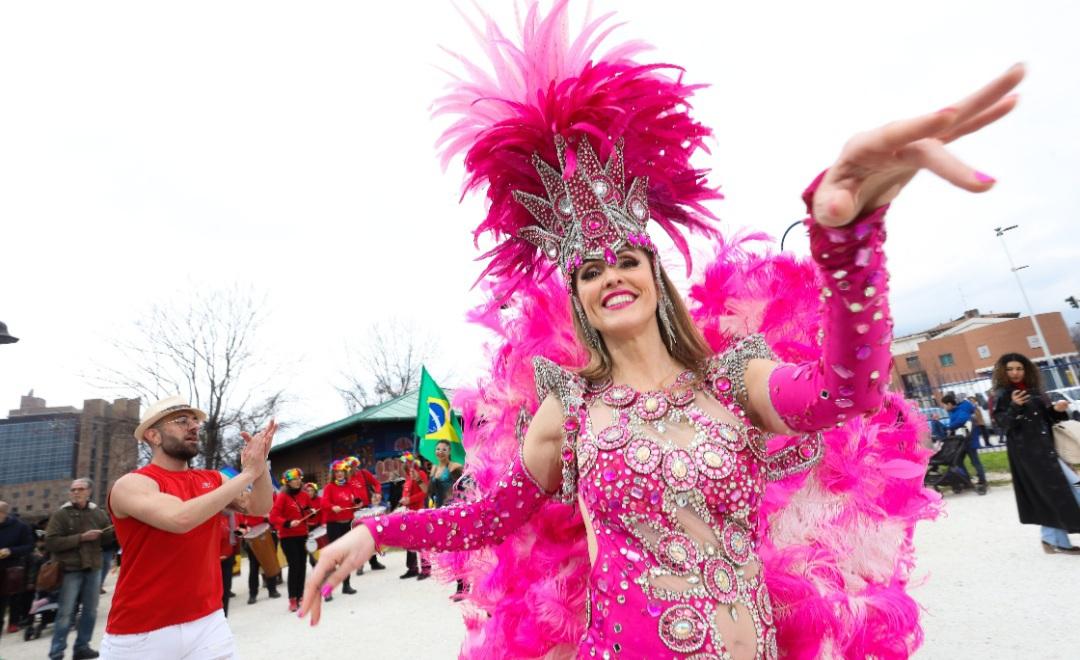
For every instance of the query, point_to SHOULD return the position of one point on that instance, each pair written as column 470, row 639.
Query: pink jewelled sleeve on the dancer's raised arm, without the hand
column 850, row 378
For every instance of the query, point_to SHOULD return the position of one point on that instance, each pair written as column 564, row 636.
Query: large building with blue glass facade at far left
column 43, row 449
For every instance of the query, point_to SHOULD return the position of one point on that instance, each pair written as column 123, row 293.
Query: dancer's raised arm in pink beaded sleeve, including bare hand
column 847, row 208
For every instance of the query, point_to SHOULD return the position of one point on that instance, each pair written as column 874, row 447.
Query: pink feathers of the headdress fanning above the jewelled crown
column 546, row 85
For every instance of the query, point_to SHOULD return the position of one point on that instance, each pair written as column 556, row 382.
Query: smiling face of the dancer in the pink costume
column 622, row 300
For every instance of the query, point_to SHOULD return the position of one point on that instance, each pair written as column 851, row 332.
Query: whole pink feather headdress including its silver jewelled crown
column 547, row 101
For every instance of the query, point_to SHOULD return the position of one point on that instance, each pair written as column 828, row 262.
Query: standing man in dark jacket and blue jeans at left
column 74, row 537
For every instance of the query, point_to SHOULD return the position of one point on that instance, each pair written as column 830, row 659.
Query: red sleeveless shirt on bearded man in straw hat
column 168, row 578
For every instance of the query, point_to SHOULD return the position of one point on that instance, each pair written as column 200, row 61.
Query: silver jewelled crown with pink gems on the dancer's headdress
column 589, row 212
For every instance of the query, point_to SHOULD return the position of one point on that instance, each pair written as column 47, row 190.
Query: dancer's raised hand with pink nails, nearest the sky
column 874, row 167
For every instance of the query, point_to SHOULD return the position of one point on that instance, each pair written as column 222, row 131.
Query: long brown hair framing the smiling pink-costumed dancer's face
column 690, row 348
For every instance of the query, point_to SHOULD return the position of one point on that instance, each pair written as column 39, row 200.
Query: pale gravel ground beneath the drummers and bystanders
column 988, row 588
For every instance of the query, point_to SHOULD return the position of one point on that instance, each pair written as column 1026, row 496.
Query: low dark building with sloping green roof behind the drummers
column 377, row 436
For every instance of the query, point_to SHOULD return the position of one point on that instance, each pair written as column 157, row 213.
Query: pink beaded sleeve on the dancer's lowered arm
column 465, row 526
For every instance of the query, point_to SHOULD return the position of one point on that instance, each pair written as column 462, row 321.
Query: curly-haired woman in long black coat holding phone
column 1048, row 491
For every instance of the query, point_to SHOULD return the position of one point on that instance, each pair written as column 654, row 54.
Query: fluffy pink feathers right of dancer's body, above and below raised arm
column 836, row 542
